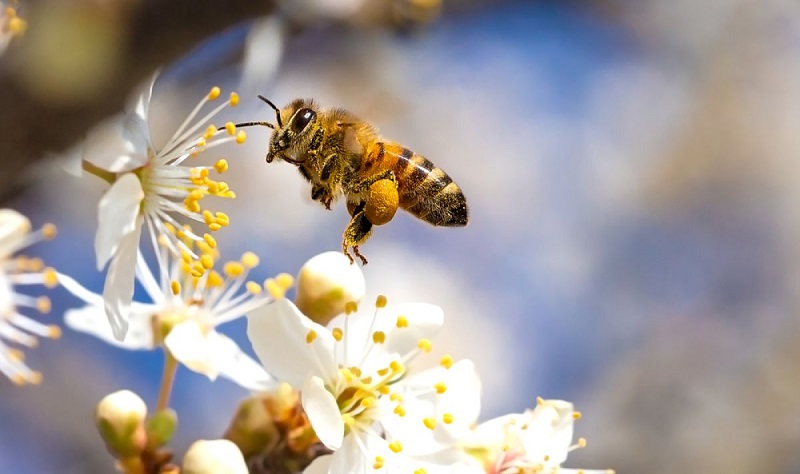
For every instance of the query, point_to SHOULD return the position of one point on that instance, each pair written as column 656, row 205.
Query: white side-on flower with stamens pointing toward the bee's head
column 149, row 187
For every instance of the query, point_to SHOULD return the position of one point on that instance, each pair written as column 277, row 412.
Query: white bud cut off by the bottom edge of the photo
column 214, row 457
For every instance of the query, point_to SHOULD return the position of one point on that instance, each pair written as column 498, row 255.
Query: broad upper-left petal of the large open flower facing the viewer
column 278, row 333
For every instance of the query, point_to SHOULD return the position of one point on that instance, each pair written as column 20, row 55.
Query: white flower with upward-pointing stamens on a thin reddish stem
column 185, row 312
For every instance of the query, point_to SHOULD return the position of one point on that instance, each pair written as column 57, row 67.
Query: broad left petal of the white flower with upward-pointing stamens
column 92, row 320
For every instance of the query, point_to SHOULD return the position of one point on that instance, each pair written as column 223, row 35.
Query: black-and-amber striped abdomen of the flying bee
column 426, row 191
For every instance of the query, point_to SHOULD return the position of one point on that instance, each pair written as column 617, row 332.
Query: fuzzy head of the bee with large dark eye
column 291, row 137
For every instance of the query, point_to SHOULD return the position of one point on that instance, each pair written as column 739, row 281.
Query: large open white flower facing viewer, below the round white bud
column 360, row 398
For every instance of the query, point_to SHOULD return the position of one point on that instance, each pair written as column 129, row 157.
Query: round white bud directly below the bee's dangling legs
column 325, row 283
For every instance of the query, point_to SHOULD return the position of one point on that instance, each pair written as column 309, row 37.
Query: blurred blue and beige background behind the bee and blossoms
column 631, row 174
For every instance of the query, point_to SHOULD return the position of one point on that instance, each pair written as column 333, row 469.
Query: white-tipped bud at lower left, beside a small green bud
column 120, row 419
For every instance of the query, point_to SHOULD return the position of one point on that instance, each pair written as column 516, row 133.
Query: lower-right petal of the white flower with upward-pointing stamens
column 232, row 363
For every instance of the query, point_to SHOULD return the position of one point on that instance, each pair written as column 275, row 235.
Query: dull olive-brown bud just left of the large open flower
column 253, row 428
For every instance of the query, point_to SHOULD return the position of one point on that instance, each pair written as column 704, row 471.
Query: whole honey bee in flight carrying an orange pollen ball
column 340, row 154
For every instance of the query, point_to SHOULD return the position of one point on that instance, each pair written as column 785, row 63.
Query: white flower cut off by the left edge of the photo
column 15, row 234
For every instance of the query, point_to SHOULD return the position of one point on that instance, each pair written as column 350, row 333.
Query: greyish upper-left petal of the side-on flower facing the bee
column 118, row 144
